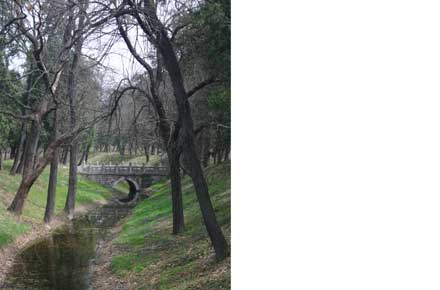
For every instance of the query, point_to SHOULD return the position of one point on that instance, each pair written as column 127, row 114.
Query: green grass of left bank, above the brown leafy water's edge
column 33, row 212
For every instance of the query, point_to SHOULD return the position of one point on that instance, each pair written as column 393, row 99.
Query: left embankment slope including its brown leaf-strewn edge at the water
column 16, row 233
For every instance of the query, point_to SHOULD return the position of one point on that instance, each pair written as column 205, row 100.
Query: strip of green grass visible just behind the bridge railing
column 116, row 158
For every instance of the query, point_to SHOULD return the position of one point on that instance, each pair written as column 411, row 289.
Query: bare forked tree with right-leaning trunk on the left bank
column 29, row 22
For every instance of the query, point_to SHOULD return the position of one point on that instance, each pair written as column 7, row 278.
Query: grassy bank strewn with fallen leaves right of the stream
column 150, row 256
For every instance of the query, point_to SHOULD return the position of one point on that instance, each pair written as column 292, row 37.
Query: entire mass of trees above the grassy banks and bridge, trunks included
column 61, row 101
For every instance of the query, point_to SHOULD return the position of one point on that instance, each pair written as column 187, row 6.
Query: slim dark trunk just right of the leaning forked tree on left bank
column 51, row 191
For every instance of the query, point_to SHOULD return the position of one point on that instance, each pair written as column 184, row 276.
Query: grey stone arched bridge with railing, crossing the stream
column 141, row 176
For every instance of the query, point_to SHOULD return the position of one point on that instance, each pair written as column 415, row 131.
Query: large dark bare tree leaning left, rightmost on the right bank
column 145, row 15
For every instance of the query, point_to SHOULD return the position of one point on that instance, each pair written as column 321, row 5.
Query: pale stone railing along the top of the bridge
column 123, row 169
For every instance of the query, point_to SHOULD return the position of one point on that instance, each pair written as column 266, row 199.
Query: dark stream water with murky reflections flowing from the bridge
column 64, row 260
